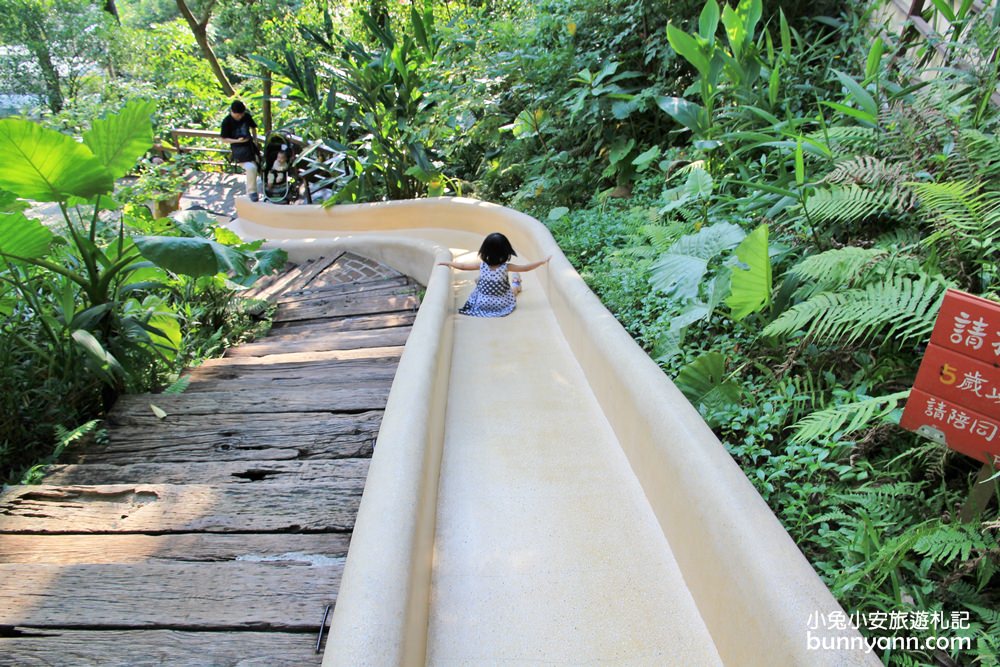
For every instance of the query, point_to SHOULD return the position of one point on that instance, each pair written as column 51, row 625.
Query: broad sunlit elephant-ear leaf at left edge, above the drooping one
column 44, row 165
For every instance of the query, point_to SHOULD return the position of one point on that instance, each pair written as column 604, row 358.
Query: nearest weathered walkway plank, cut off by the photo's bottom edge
column 154, row 648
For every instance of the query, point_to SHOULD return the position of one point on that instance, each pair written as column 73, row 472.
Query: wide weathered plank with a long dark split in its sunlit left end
column 177, row 508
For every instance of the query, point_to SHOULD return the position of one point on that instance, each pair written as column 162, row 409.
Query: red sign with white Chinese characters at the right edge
column 956, row 397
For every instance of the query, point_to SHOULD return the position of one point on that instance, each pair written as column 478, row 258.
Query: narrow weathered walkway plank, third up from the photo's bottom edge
column 291, row 548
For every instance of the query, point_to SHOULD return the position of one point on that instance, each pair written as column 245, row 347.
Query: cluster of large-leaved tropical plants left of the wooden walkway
column 97, row 305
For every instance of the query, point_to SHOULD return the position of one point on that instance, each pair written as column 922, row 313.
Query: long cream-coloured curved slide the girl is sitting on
column 540, row 493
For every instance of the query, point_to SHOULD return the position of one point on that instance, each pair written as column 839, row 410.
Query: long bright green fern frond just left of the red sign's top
column 900, row 309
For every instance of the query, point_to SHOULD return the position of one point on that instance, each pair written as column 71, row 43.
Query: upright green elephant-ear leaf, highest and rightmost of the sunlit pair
column 122, row 138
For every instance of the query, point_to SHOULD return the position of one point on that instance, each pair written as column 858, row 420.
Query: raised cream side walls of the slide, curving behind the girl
column 754, row 589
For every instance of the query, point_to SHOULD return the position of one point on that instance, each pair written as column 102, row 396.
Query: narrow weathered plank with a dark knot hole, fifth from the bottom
column 344, row 474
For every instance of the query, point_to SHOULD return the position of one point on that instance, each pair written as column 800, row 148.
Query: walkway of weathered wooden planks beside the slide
column 217, row 535
